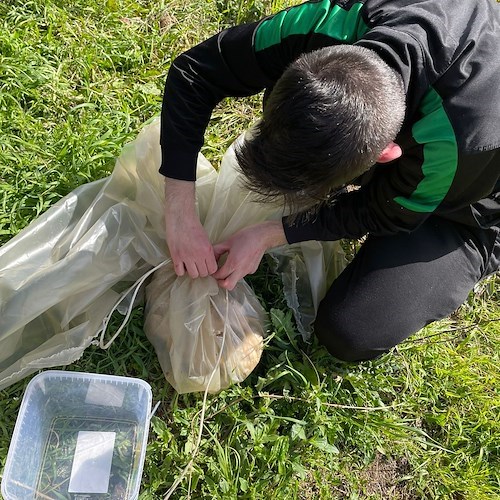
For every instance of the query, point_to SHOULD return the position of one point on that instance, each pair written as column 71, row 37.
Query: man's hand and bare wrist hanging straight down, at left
column 187, row 240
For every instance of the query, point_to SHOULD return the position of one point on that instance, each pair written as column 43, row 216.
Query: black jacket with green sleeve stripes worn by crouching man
column 447, row 52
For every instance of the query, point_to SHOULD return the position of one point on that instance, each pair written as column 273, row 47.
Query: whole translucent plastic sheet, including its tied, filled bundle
column 63, row 274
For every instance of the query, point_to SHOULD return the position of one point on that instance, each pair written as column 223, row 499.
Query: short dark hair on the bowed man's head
column 326, row 121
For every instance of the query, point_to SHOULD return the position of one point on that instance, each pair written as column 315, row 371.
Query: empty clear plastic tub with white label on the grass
column 79, row 436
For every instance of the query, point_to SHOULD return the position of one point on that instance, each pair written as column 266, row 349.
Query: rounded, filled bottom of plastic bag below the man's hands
column 204, row 338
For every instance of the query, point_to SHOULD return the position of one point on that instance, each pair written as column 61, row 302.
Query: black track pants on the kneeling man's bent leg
column 398, row 284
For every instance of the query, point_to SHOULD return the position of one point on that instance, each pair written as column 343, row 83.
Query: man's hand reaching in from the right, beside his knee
column 244, row 251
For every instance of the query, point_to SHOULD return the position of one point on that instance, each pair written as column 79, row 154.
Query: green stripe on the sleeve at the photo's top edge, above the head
column 321, row 17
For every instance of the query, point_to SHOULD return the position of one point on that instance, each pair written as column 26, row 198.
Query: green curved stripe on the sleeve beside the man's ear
column 440, row 151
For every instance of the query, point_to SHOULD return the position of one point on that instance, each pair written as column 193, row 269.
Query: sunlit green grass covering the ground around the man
column 77, row 81
